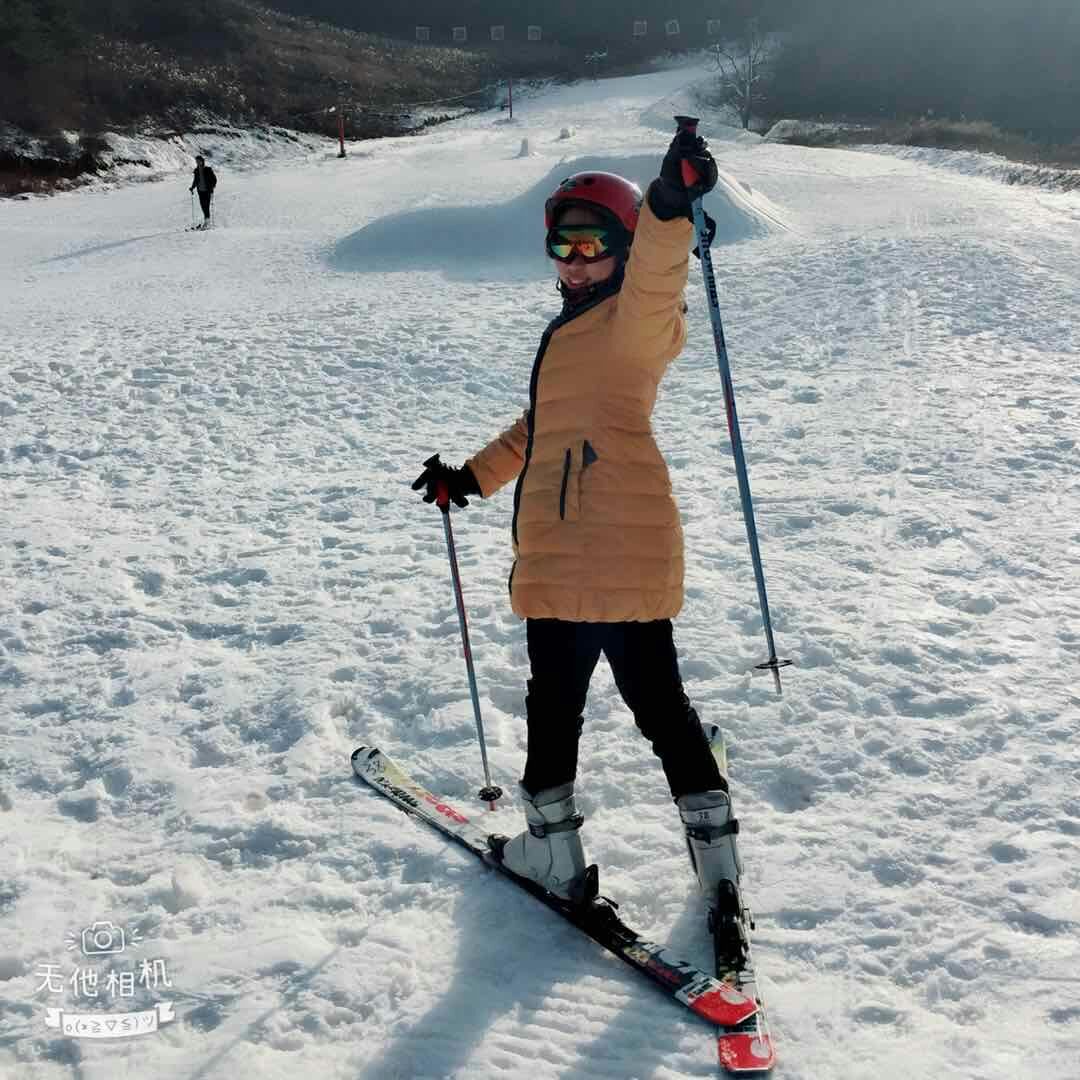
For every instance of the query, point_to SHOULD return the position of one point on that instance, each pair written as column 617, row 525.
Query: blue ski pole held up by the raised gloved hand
column 690, row 125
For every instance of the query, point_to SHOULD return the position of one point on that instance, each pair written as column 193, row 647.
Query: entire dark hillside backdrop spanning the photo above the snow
column 917, row 76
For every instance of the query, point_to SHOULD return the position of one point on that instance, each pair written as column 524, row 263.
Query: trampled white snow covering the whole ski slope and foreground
column 215, row 583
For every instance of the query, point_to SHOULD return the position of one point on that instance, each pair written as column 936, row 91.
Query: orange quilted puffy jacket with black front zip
column 597, row 532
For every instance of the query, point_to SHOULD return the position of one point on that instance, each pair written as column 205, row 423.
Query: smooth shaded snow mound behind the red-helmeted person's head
column 443, row 238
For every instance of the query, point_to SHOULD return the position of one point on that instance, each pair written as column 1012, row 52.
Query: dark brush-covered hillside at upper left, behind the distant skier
column 90, row 71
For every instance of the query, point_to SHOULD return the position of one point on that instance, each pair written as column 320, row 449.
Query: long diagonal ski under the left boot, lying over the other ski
column 722, row 1003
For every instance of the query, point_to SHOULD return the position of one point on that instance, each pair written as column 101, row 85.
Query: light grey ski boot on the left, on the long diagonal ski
column 550, row 852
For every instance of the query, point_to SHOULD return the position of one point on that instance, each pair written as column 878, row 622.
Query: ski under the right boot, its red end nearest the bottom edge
column 747, row 1047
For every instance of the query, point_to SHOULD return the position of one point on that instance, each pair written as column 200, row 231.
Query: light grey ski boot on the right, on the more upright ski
column 711, row 832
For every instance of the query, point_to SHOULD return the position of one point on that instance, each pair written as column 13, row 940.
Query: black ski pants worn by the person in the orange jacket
column 563, row 657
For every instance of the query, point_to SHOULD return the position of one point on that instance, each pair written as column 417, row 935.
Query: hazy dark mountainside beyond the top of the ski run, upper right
column 1015, row 63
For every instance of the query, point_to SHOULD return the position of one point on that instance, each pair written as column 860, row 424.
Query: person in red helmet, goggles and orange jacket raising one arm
column 597, row 534
